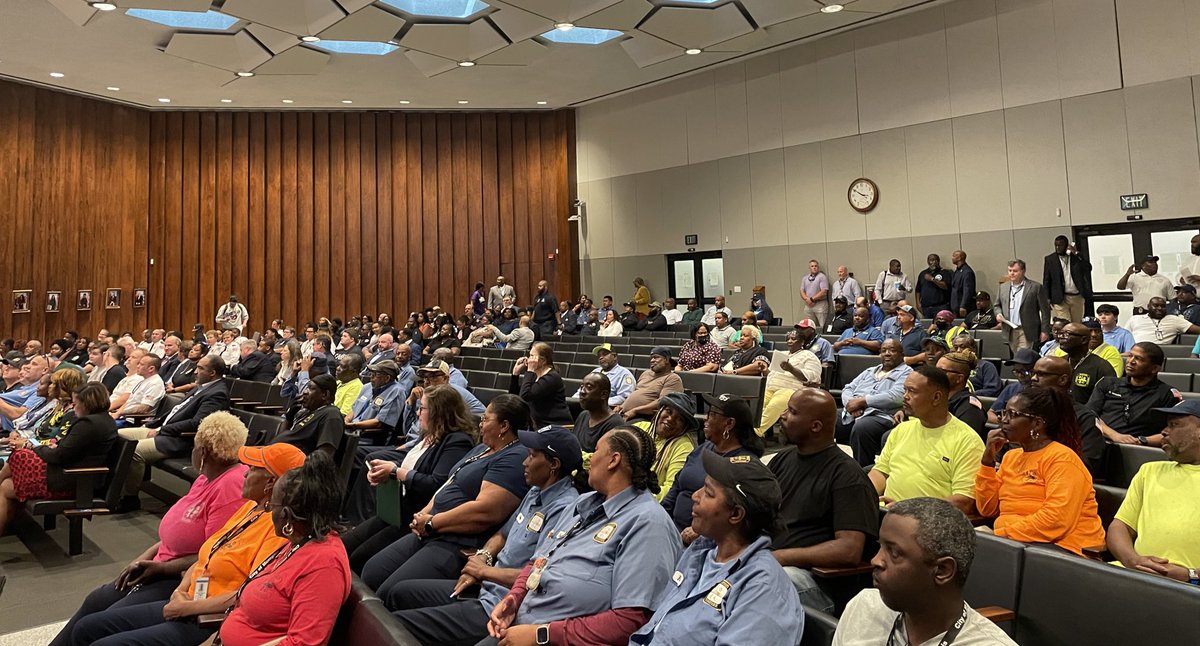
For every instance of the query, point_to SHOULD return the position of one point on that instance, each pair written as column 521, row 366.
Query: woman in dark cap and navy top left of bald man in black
column 729, row 432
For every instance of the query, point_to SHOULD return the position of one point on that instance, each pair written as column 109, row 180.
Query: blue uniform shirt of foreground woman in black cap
column 748, row 600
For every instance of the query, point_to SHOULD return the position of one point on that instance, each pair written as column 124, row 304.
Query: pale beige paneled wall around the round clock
column 989, row 125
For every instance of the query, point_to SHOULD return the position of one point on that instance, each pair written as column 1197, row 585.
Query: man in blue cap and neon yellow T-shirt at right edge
column 1156, row 528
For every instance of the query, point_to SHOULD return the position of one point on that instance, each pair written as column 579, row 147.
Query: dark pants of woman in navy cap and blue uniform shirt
column 429, row 613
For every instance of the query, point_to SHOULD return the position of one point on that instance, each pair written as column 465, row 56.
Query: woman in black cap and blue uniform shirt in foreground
column 729, row 567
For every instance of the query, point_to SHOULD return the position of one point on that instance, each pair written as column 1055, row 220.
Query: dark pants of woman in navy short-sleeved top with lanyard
column 412, row 559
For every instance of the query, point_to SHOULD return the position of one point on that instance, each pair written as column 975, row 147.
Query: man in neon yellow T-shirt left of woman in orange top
column 905, row 470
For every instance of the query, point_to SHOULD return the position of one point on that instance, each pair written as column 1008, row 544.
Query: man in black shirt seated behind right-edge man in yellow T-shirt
column 1127, row 408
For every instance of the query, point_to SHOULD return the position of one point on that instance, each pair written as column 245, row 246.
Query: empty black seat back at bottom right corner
column 1066, row 600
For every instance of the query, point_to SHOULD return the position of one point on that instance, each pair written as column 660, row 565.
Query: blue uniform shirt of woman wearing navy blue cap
column 539, row 512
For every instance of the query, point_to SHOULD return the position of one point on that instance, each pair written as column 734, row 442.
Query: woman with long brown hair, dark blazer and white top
column 422, row 465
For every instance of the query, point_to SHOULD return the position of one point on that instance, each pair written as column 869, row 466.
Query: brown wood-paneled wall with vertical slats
column 301, row 214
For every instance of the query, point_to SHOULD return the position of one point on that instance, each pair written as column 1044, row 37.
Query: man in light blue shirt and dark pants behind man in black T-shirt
column 869, row 403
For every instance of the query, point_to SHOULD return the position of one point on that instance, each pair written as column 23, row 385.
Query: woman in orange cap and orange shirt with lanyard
column 224, row 563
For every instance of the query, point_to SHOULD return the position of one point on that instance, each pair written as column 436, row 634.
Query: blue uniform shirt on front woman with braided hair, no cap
column 604, row 554
